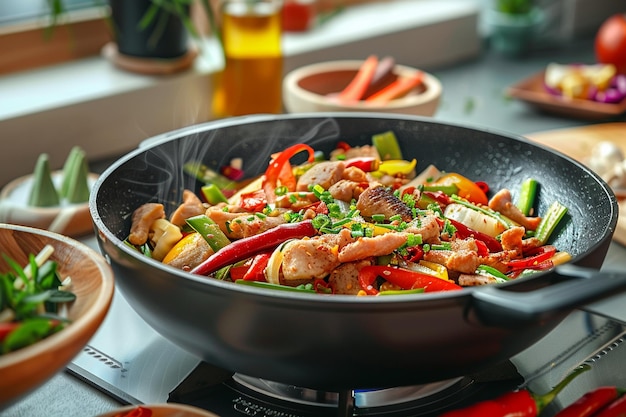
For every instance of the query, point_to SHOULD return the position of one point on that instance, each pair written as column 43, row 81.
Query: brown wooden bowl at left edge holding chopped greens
column 24, row 370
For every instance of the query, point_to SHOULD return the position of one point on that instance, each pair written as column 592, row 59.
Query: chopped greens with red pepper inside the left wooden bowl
column 30, row 300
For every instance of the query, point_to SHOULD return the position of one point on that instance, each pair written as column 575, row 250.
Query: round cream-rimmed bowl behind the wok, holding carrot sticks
column 307, row 89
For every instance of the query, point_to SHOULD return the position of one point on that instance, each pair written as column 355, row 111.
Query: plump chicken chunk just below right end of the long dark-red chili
column 307, row 259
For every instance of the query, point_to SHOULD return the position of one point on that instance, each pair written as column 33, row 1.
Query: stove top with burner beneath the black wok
column 129, row 361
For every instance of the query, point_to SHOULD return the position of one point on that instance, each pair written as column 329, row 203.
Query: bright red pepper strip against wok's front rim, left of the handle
column 403, row 278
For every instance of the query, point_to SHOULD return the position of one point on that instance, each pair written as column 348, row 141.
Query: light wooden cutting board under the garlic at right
column 577, row 143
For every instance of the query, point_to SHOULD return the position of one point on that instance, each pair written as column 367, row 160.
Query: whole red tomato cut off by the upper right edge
column 610, row 42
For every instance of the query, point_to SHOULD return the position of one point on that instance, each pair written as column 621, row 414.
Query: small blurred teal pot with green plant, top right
column 513, row 25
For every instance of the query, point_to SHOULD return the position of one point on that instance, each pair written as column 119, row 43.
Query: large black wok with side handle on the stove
column 344, row 342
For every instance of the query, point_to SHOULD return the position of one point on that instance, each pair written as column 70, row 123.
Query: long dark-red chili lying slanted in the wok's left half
column 245, row 248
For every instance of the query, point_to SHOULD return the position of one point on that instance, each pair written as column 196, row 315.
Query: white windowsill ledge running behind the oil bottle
column 106, row 110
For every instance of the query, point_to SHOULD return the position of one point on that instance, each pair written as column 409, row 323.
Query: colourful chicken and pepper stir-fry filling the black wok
column 360, row 223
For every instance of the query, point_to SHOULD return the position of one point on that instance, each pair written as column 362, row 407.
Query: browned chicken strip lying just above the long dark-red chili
column 241, row 224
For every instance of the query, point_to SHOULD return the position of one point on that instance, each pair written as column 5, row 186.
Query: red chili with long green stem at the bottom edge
column 520, row 403
